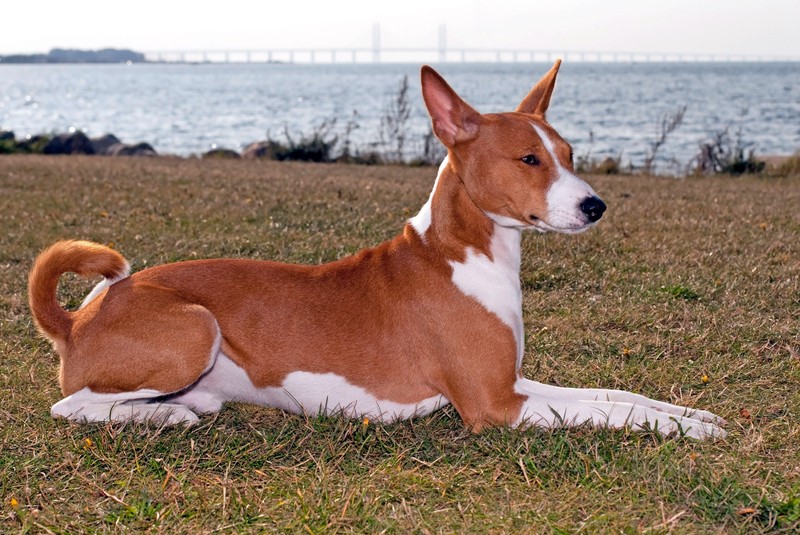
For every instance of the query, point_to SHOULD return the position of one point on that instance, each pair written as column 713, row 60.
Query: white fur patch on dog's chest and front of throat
column 495, row 283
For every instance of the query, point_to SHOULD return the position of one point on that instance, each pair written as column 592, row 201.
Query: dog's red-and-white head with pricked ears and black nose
column 515, row 167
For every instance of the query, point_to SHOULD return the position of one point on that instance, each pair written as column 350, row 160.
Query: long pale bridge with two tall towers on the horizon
column 441, row 54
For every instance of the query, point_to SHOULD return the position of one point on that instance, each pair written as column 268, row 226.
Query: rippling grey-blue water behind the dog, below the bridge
column 602, row 109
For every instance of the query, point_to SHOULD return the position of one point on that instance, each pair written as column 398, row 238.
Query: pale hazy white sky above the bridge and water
column 740, row 27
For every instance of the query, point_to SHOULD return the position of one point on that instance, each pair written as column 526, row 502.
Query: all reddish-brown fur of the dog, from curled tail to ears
column 388, row 319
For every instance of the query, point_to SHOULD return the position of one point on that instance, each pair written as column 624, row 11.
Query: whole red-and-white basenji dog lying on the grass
column 431, row 317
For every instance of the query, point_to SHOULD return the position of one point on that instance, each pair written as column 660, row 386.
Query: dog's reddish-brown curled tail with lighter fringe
column 85, row 258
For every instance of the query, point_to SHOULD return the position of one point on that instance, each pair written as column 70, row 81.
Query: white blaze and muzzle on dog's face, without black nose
column 564, row 197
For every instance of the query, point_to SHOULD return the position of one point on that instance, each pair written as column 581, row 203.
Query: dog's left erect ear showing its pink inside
column 453, row 119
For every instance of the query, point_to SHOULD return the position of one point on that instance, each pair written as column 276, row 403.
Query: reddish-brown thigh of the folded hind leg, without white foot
column 137, row 335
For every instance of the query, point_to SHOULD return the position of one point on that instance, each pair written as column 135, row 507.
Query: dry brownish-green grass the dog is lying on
column 689, row 291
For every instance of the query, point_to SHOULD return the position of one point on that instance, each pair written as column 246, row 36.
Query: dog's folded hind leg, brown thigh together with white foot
column 125, row 365
